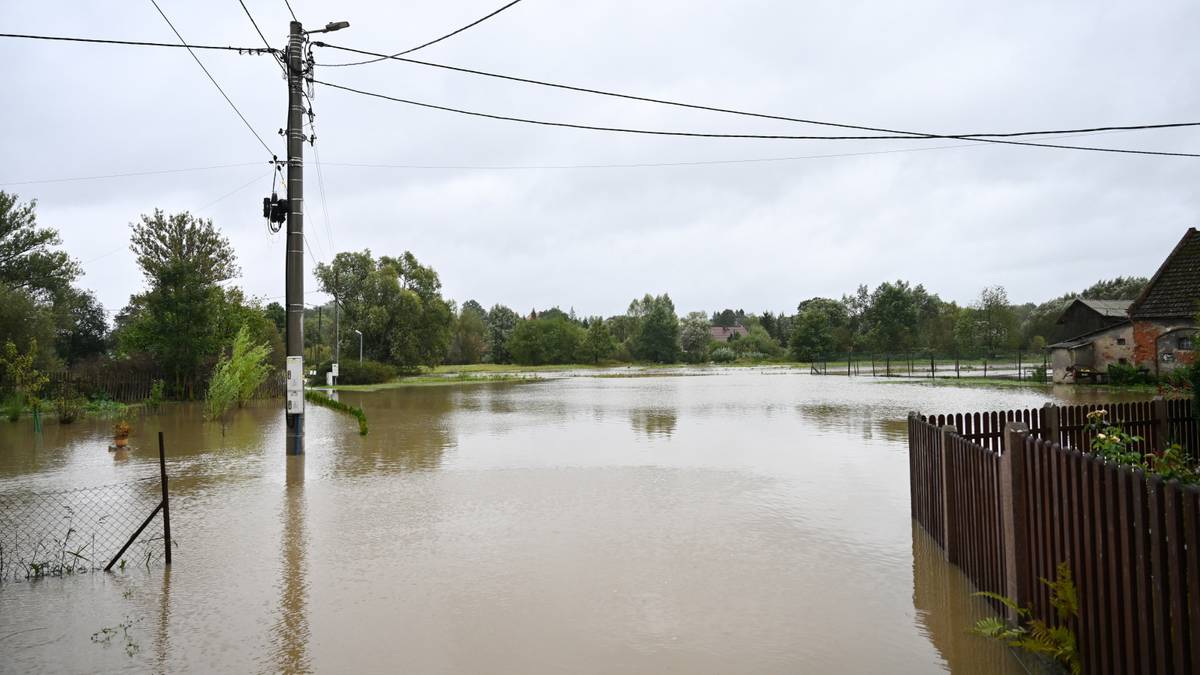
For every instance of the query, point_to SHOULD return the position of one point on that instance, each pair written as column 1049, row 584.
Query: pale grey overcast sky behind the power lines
column 759, row 236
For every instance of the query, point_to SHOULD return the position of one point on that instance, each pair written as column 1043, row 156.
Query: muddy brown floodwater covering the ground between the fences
column 727, row 522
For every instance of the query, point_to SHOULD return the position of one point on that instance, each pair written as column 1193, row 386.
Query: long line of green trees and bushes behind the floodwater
column 188, row 315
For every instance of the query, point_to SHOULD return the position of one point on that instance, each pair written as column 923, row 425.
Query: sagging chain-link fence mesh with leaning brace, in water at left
column 53, row 534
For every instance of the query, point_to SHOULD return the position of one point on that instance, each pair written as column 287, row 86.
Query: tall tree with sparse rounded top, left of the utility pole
column 178, row 320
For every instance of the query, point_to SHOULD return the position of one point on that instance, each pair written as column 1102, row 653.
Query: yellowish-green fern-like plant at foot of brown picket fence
column 1035, row 635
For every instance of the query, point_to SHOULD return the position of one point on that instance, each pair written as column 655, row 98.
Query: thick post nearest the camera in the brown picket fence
column 1015, row 517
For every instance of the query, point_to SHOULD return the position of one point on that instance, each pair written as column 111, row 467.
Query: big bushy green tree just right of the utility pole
column 397, row 303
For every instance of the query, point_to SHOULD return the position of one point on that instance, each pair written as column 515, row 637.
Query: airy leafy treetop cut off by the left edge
column 28, row 261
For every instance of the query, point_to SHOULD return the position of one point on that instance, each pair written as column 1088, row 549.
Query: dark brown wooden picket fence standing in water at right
column 1009, row 503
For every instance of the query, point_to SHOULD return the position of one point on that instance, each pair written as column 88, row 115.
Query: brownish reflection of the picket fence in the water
column 946, row 612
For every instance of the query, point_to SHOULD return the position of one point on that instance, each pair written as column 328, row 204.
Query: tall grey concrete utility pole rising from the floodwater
column 295, row 268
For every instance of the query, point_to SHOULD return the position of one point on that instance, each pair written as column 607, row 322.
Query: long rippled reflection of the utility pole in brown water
column 290, row 634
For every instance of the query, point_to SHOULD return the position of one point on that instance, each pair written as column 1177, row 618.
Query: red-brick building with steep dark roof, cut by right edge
column 1165, row 328
